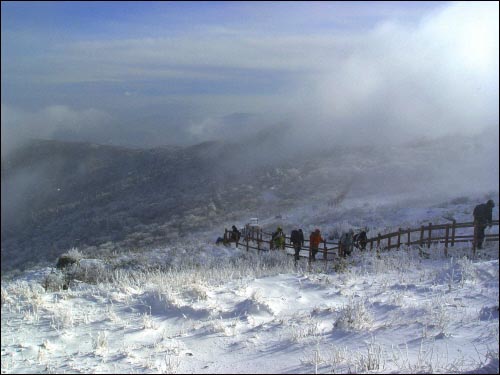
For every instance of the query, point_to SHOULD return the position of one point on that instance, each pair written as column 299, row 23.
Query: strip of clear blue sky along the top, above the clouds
column 103, row 18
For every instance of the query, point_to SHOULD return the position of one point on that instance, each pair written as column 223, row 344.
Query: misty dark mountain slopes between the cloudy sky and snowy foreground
column 57, row 195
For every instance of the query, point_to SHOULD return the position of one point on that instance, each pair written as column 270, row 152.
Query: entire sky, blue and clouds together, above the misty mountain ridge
column 172, row 71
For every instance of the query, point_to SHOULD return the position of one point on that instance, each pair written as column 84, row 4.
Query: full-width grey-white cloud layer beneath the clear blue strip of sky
column 391, row 82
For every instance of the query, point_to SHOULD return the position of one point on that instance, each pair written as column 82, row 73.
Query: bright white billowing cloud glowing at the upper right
column 396, row 82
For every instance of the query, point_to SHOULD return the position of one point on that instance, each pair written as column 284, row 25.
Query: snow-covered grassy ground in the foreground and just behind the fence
column 211, row 309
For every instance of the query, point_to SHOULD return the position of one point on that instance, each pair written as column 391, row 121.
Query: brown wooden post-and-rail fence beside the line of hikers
column 426, row 235
